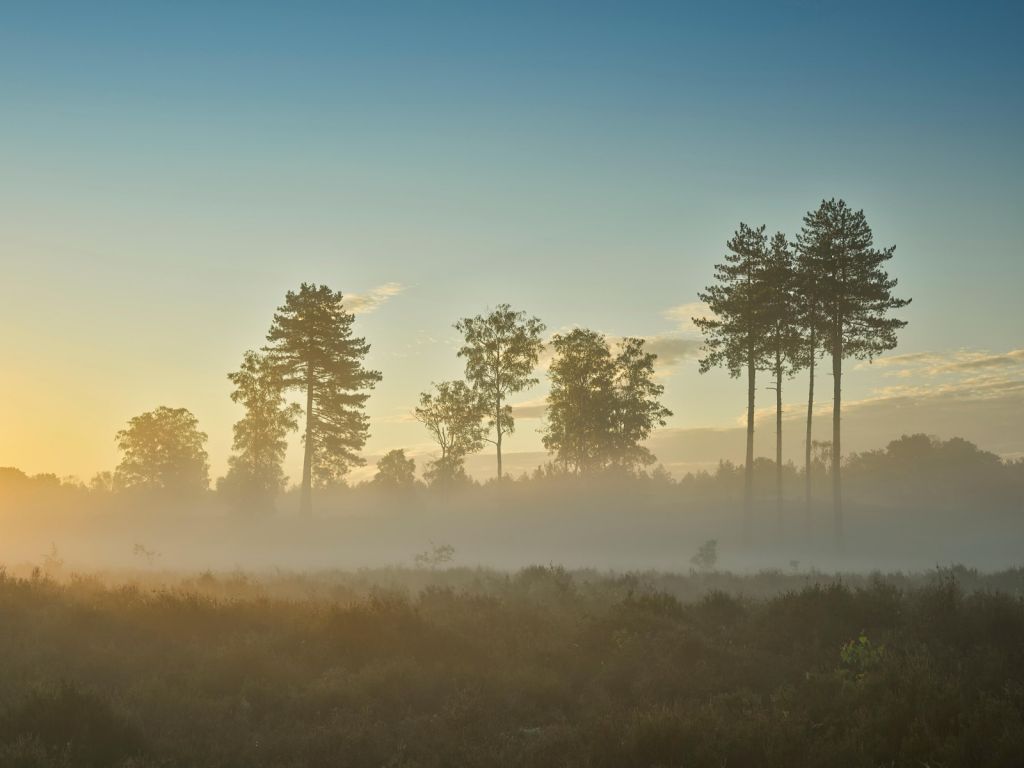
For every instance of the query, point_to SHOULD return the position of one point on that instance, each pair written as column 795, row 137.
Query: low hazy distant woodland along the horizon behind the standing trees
column 913, row 472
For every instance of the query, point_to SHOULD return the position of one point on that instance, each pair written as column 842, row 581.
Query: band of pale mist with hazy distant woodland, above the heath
column 918, row 504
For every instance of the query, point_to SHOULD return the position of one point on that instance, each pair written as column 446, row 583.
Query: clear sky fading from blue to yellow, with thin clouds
column 170, row 170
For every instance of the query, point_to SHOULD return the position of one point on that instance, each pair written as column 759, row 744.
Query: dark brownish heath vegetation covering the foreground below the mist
column 543, row 667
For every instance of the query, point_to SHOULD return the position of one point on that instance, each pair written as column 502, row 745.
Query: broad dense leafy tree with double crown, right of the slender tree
column 602, row 406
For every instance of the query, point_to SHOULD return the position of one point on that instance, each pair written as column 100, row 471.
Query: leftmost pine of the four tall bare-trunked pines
column 735, row 335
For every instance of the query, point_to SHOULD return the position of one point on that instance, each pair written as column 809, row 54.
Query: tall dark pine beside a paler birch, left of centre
column 313, row 349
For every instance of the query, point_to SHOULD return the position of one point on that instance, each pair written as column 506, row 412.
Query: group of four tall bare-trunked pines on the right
column 780, row 307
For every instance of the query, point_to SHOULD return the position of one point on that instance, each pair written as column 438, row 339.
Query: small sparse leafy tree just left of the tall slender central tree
column 454, row 416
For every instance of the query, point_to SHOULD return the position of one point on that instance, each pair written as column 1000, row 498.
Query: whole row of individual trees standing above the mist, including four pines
column 777, row 307
